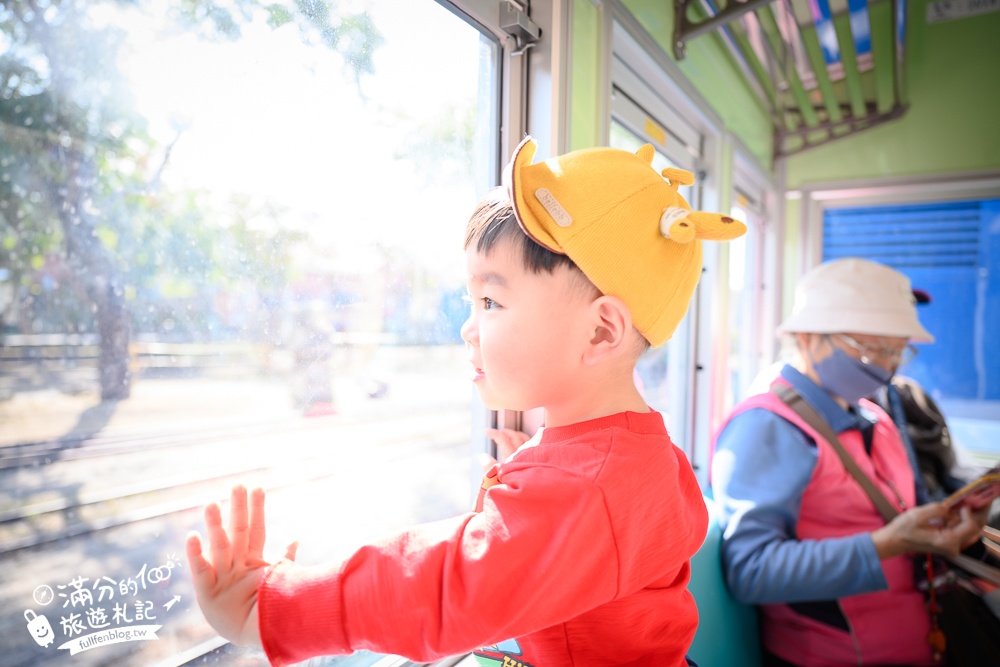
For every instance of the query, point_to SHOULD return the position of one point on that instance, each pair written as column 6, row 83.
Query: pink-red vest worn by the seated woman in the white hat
column 886, row 627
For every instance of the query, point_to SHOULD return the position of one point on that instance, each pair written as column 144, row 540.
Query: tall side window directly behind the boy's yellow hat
column 650, row 103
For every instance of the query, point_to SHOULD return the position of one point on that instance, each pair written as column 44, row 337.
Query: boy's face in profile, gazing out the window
column 526, row 330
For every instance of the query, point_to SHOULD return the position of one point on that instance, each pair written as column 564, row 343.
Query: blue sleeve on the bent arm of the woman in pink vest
column 760, row 470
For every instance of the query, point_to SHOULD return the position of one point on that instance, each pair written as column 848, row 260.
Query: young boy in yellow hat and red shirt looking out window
column 577, row 551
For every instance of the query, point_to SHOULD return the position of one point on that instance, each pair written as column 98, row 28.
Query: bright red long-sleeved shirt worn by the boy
column 578, row 550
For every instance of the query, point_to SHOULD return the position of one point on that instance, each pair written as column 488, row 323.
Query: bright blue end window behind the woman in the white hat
column 946, row 249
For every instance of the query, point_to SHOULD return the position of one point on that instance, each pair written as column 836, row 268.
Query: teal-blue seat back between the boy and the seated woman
column 727, row 630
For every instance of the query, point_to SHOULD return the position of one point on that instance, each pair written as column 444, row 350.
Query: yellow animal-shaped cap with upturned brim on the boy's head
column 622, row 223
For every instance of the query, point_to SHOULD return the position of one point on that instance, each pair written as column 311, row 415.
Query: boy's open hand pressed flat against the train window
column 226, row 586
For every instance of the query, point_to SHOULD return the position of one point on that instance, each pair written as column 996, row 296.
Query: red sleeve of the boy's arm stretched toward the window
column 540, row 552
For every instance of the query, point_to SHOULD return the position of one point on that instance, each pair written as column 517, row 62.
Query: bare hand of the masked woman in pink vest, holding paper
column 932, row 528
